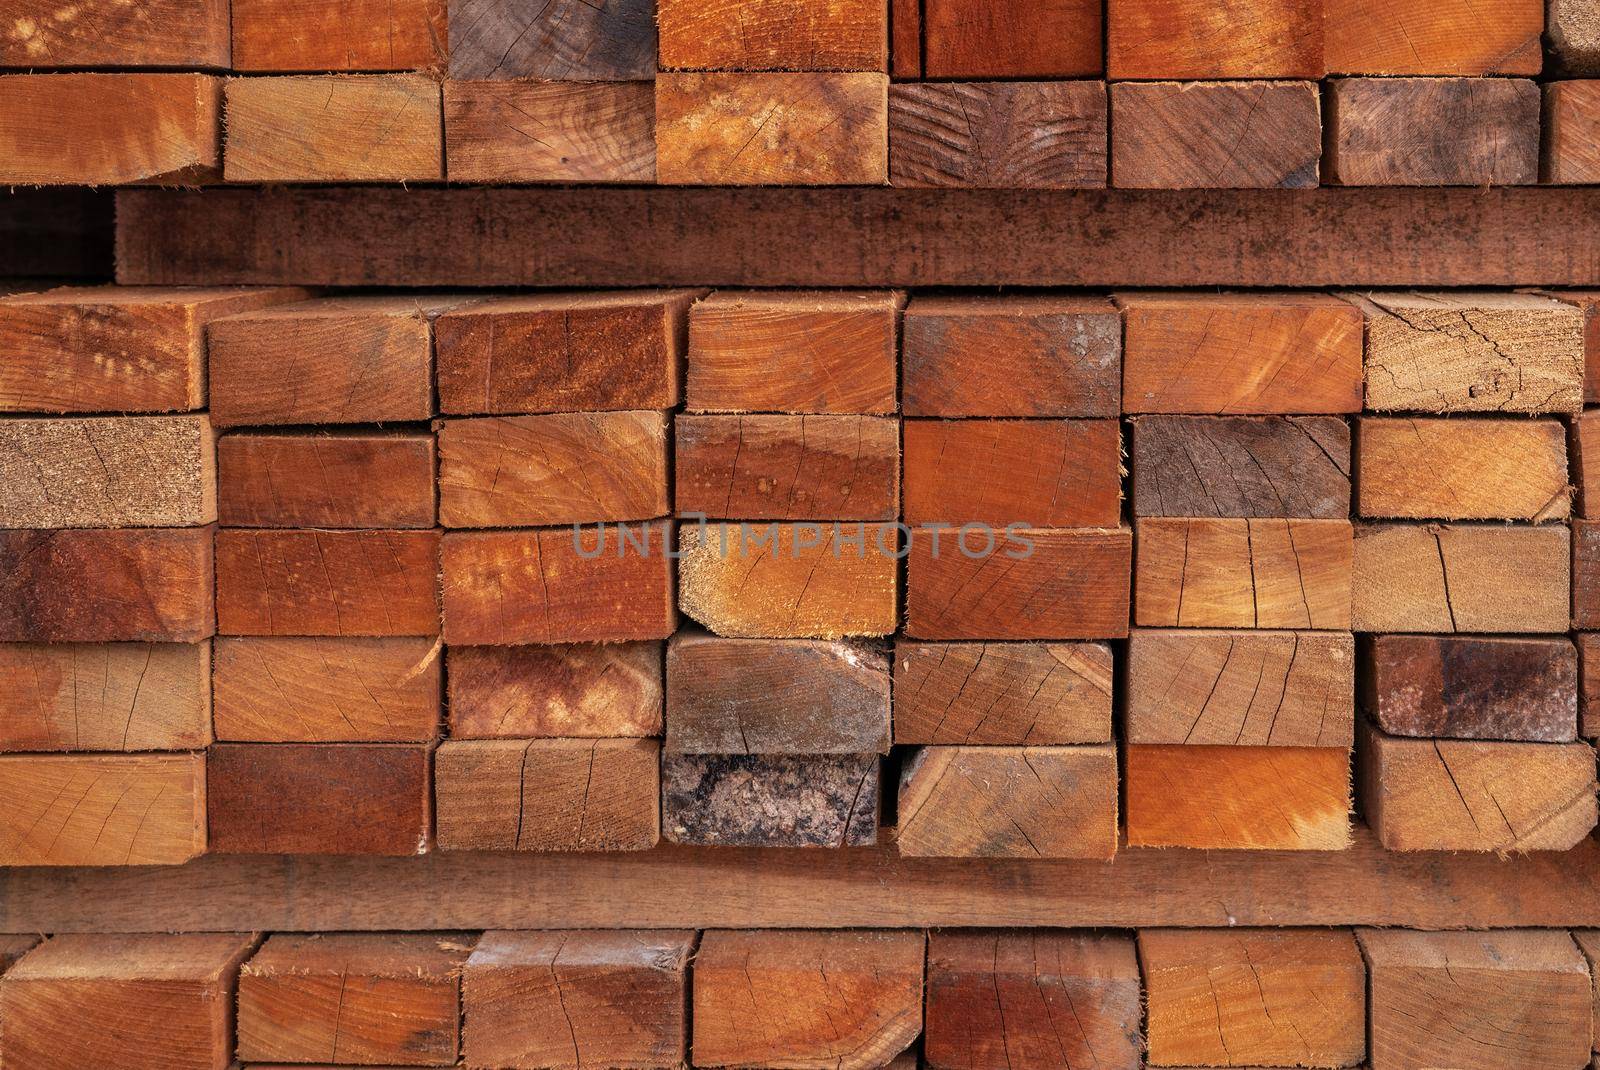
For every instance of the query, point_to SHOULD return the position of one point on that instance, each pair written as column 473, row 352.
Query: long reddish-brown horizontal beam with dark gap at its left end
column 862, row 238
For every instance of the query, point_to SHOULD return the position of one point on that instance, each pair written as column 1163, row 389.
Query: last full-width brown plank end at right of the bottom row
column 1478, row 999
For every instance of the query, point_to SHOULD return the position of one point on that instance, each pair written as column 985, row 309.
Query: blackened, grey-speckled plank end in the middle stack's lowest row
column 770, row 801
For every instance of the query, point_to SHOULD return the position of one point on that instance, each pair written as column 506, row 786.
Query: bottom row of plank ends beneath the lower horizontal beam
column 839, row 1000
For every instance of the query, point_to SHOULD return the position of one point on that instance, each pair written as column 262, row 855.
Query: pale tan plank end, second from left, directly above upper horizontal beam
column 335, row 129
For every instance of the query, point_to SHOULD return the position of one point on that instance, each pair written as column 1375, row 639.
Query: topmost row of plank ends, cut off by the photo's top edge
column 935, row 39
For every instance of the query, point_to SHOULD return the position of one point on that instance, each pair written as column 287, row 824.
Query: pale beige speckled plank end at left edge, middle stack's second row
column 108, row 473
